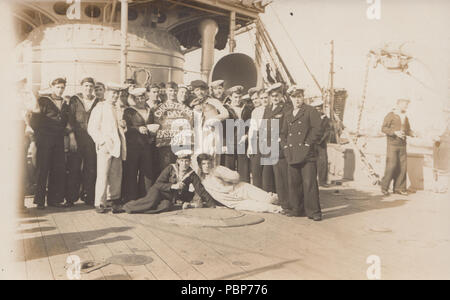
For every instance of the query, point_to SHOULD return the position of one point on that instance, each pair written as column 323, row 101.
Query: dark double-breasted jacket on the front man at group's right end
column 300, row 134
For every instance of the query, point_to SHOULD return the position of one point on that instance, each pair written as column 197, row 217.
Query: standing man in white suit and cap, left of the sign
column 106, row 128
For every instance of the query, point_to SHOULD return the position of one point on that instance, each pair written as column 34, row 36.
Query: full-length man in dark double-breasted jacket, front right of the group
column 301, row 131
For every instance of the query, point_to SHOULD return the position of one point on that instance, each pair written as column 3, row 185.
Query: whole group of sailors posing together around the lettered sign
column 99, row 146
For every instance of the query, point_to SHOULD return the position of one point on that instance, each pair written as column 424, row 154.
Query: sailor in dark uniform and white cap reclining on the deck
column 172, row 185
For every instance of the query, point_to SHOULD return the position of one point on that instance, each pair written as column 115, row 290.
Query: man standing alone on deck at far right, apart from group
column 396, row 127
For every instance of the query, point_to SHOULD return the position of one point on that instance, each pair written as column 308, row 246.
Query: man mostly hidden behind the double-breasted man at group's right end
column 322, row 152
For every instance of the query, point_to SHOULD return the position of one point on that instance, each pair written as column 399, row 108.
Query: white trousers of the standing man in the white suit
column 109, row 178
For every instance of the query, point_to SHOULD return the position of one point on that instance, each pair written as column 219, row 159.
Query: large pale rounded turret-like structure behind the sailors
column 76, row 51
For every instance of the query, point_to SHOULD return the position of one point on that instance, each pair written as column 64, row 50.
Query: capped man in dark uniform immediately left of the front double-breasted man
column 276, row 172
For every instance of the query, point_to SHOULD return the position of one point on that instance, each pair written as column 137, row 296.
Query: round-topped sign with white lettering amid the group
column 176, row 121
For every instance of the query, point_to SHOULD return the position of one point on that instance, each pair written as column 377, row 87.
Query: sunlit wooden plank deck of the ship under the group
column 410, row 235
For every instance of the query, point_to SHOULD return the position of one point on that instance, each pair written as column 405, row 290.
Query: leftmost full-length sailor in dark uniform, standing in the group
column 49, row 122
